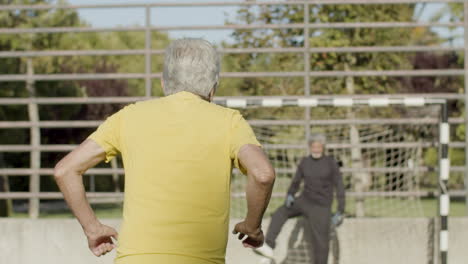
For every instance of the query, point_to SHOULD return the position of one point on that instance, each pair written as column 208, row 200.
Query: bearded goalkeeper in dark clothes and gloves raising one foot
column 321, row 176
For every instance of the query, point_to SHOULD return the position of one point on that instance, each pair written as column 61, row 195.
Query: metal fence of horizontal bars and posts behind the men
column 35, row 124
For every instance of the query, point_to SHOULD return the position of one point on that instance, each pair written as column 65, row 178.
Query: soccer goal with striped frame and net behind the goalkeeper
column 393, row 153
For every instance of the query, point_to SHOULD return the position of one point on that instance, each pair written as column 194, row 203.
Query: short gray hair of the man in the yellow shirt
column 191, row 65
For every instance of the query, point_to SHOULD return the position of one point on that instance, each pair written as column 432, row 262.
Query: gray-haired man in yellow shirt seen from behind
column 178, row 152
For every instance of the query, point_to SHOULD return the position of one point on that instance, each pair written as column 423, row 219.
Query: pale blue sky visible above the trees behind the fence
column 180, row 16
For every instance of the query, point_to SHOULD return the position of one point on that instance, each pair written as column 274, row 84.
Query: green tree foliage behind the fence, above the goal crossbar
column 319, row 38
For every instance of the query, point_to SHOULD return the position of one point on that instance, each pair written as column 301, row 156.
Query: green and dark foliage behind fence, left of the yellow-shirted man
column 64, row 64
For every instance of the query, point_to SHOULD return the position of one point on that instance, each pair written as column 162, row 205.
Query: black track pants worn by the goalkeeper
column 318, row 219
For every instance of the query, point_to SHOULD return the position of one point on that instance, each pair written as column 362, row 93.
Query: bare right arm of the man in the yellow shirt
column 261, row 178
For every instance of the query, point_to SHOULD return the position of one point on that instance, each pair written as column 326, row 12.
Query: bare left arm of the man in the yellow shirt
column 68, row 175
